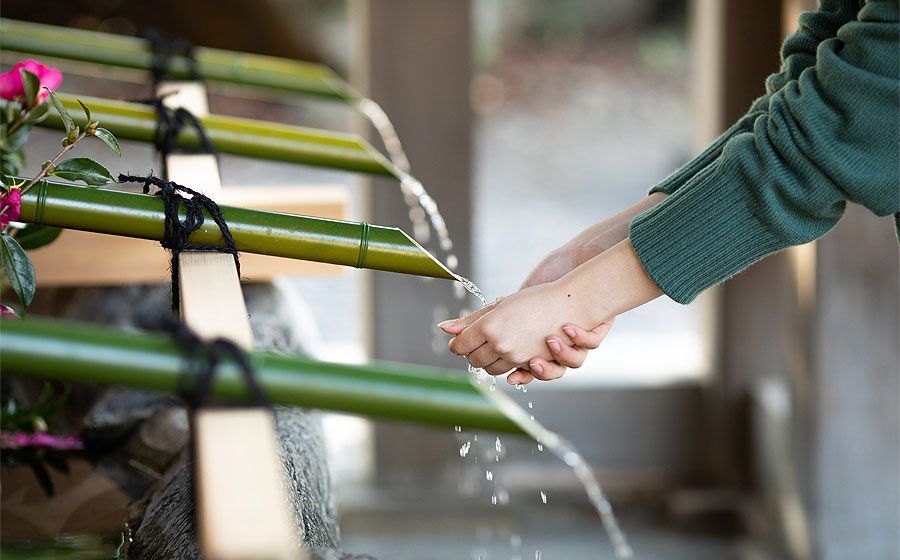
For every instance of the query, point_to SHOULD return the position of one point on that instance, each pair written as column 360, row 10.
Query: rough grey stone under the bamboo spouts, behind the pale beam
column 154, row 428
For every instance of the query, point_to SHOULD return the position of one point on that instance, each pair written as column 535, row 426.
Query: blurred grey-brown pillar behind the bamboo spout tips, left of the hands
column 413, row 59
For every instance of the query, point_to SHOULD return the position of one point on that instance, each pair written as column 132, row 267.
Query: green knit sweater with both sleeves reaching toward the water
column 826, row 132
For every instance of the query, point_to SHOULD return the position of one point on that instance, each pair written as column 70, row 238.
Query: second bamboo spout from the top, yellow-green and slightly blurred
column 233, row 135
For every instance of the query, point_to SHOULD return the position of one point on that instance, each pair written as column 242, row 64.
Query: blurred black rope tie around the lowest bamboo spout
column 203, row 358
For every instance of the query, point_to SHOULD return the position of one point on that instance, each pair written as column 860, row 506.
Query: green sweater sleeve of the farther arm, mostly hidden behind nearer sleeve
column 797, row 53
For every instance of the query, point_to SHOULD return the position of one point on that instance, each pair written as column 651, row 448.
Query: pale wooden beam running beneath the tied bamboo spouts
column 241, row 509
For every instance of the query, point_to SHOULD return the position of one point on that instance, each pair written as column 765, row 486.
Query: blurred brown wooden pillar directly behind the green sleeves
column 736, row 46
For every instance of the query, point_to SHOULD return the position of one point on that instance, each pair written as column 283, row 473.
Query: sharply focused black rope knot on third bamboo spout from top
column 178, row 231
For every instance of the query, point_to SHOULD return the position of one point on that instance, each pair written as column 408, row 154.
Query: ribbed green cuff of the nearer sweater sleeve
column 699, row 236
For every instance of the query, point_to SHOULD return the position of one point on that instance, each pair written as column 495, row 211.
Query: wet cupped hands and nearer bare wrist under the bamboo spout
column 524, row 331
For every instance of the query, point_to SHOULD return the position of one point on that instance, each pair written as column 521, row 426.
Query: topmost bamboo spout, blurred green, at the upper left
column 266, row 72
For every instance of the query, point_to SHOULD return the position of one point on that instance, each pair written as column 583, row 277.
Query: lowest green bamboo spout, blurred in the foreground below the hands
column 79, row 352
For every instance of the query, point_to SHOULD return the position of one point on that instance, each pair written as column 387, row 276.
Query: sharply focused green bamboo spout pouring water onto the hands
column 254, row 231
